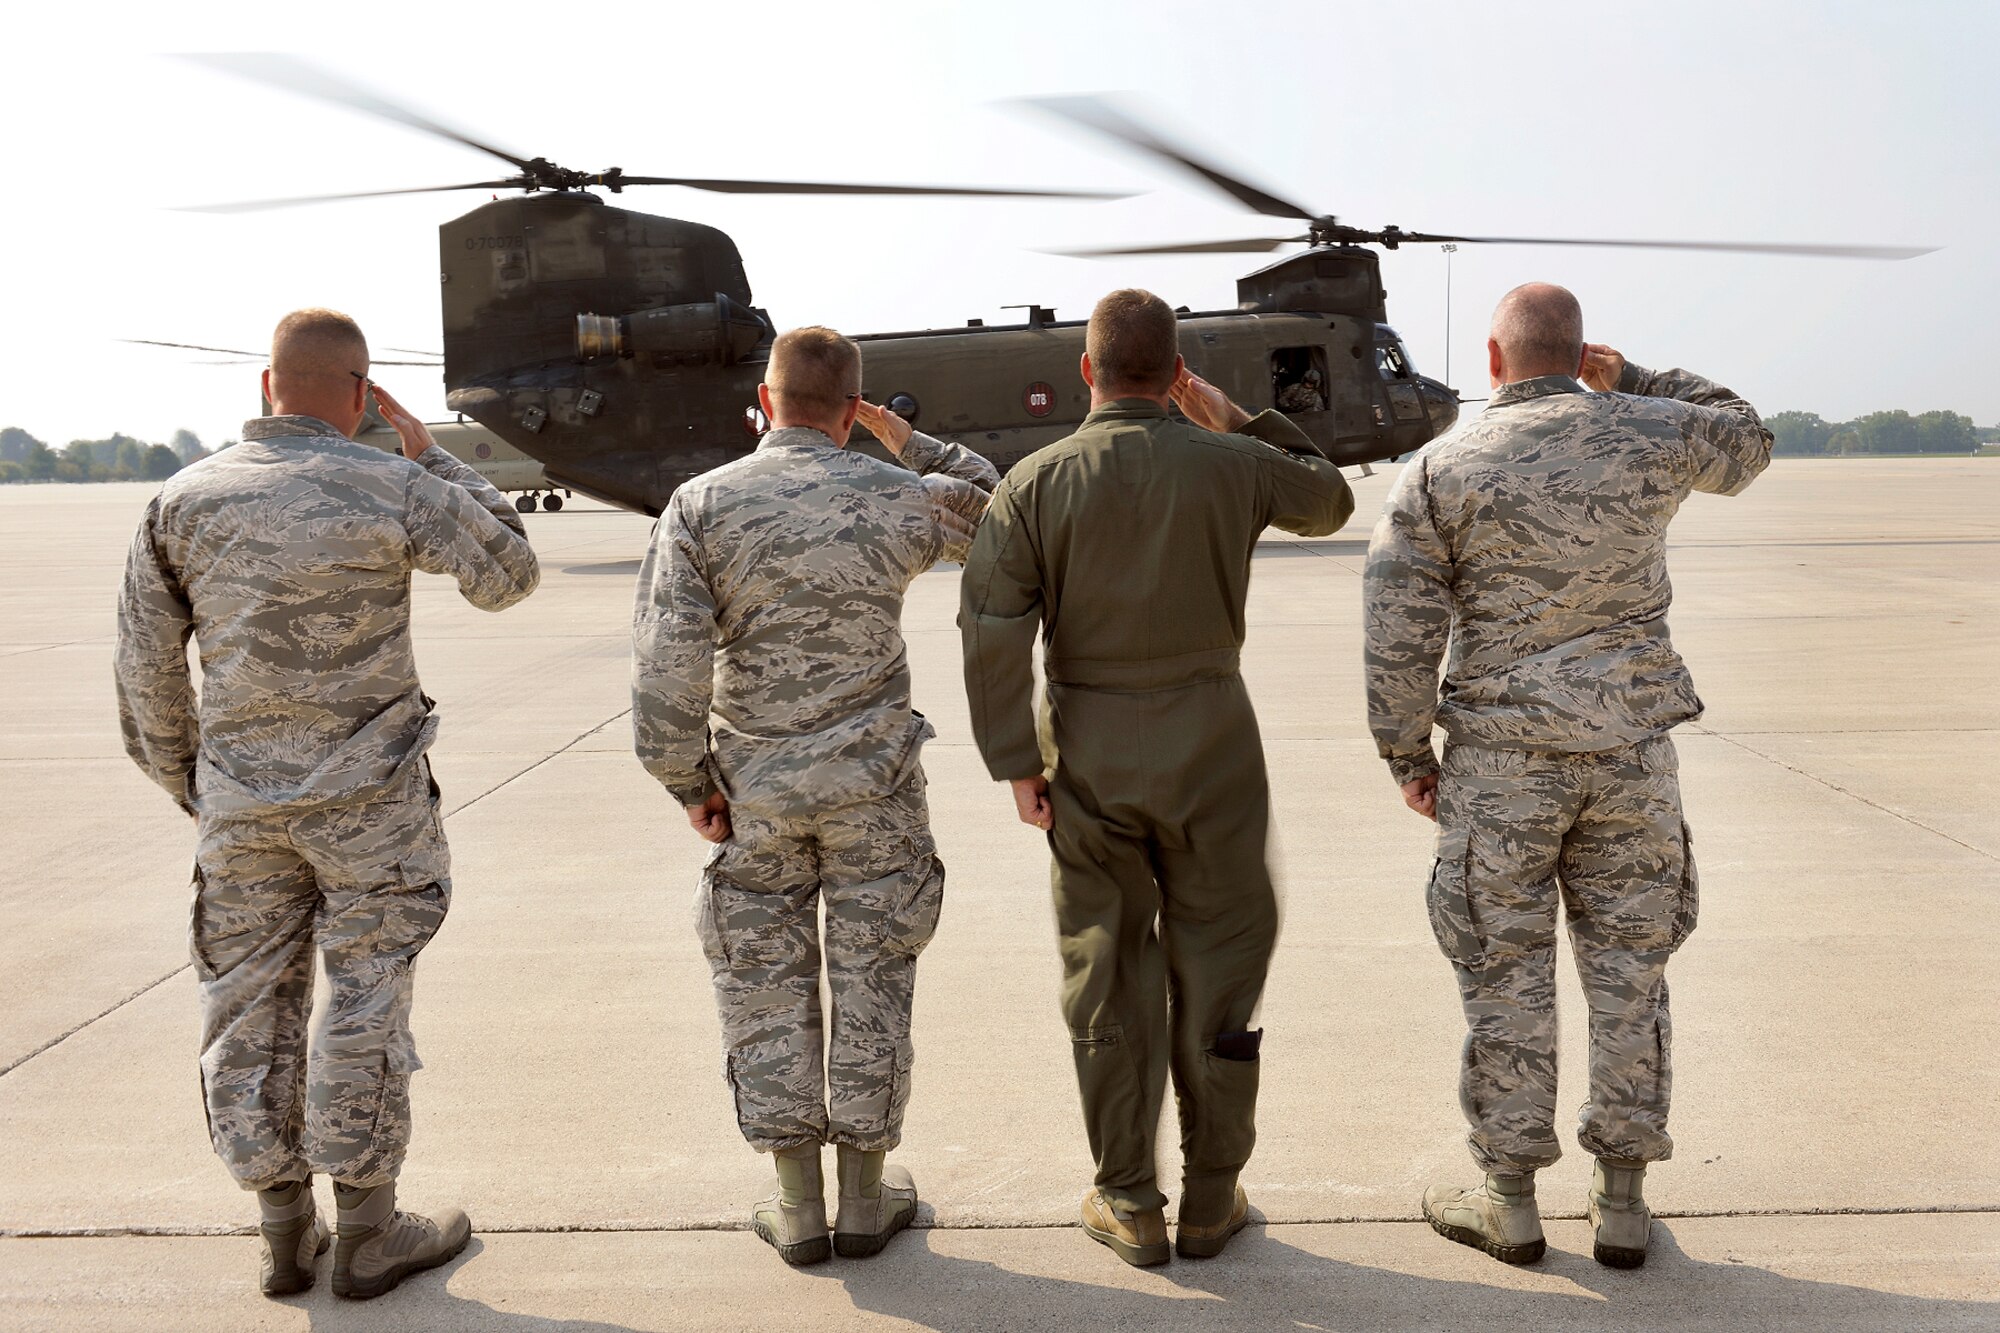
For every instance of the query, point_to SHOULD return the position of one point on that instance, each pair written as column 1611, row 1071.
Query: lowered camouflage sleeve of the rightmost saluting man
column 1407, row 603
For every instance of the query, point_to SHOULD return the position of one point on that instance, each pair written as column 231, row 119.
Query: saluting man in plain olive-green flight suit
column 1127, row 547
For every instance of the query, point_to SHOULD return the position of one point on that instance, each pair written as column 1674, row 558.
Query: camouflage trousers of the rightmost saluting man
column 1603, row 834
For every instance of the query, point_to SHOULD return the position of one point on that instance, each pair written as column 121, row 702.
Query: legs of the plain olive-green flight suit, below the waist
column 1167, row 922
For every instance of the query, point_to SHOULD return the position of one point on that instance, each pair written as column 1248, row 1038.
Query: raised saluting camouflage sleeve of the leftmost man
column 467, row 531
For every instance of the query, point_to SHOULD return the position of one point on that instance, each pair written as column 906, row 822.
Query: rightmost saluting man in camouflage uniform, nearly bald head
column 1533, row 543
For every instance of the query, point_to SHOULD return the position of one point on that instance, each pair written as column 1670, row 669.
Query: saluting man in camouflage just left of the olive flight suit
column 771, row 696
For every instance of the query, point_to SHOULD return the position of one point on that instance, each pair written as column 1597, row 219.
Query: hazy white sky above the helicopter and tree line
column 1811, row 123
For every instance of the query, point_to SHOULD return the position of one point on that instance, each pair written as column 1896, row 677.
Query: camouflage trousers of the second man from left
column 759, row 918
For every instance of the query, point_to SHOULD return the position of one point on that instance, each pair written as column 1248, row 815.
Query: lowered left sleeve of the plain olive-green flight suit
column 999, row 617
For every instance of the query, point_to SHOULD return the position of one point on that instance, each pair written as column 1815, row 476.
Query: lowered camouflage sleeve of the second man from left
column 675, row 659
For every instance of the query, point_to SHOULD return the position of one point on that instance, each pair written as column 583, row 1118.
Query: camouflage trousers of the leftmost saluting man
column 369, row 886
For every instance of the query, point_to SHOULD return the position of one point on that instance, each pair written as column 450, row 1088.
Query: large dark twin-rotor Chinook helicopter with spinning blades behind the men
column 625, row 349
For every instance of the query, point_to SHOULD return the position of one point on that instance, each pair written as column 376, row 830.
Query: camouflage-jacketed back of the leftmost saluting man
column 295, row 553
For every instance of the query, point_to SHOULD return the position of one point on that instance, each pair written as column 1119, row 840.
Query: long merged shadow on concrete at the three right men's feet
column 1265, row 1284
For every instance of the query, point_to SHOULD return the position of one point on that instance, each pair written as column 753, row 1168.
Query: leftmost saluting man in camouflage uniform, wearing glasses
column 289, row 561
